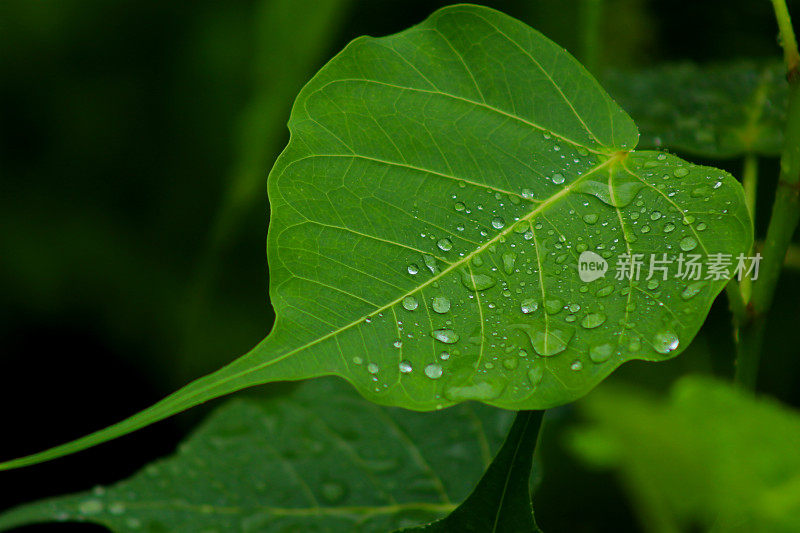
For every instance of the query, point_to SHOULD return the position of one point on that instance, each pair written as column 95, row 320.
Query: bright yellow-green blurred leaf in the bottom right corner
column 709, row 456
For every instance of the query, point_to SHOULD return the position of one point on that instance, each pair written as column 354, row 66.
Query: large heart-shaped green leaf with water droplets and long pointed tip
column 427, row 221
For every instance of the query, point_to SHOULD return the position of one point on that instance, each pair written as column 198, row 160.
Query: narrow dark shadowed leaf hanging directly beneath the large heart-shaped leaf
column 501, row 503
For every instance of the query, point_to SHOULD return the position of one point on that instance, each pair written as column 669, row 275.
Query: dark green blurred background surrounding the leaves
column 135, row 141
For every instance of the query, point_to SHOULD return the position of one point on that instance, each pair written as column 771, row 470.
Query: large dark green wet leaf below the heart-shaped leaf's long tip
column 318, row 459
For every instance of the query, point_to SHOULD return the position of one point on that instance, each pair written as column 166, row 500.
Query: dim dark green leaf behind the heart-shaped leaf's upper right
column 717, row 111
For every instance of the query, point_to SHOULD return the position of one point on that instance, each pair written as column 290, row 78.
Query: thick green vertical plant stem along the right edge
column 783, row 221
